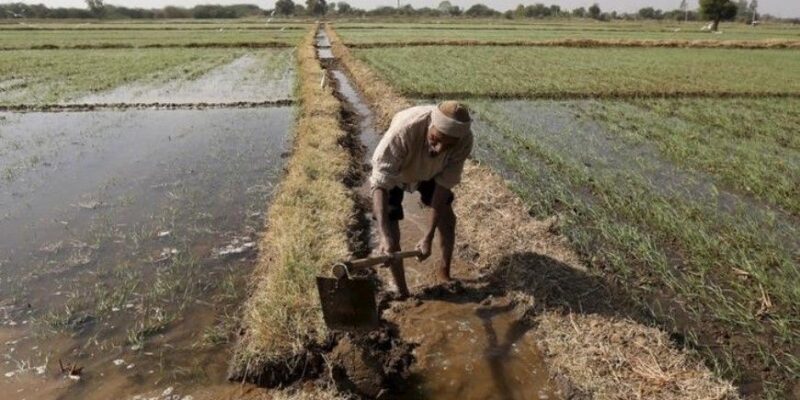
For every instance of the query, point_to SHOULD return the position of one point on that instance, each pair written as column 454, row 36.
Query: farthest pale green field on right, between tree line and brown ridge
column 406, row 33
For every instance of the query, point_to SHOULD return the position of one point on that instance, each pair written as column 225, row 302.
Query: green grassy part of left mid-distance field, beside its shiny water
column 50, row 76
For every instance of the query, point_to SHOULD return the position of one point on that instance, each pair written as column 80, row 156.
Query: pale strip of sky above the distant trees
column 780, row 8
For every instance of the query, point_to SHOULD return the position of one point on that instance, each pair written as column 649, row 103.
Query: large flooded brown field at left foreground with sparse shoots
column 125, row 242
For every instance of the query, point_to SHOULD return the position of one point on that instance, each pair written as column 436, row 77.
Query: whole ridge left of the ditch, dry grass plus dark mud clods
column 314, row 221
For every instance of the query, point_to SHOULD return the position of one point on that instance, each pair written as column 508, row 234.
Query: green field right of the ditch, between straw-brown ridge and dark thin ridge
column 566, row 72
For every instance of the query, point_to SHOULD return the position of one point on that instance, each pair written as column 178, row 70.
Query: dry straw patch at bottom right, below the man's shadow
column 621, row 359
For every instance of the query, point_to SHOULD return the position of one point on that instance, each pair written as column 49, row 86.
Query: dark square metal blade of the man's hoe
column 348, row 304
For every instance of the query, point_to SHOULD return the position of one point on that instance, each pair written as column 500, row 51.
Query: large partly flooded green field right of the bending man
column 662, row 203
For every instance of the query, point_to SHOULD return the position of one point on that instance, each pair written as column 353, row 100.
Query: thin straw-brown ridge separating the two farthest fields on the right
column 584, row 43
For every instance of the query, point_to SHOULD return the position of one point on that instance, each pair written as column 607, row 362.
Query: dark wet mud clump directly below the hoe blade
column 373, row 366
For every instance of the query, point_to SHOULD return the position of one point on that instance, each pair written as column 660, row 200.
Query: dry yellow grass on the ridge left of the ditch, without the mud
column 307, row 230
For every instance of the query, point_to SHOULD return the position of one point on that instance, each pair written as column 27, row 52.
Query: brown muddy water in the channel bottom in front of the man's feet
column 472, row 351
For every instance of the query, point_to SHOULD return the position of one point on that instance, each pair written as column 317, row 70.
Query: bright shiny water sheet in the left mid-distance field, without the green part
column 250, row 78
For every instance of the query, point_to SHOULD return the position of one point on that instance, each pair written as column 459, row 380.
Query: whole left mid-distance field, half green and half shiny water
column 39, row 77
